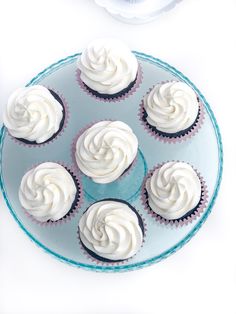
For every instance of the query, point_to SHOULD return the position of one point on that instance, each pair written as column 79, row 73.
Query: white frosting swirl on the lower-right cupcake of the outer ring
column 173, row 190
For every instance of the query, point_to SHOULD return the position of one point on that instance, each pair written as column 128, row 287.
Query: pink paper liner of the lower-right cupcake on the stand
column 180, row 221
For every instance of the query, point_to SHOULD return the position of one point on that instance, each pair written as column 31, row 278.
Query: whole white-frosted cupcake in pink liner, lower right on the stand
column 174, row 193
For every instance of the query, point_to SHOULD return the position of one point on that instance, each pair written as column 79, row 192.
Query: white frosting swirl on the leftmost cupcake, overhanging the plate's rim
column 32, row 113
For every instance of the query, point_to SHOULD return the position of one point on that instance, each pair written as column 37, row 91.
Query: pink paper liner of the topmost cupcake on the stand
column 132, row 90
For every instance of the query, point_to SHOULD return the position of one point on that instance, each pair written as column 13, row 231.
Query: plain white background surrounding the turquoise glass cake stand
column 198, row 38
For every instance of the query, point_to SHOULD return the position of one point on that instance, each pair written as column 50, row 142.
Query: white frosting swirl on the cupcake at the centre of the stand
column 106, row 150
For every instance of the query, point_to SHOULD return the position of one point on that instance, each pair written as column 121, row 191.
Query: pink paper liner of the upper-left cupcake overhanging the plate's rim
column 60, row 132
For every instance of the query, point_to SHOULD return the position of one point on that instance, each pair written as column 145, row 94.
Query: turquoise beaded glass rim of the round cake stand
column 55, row 66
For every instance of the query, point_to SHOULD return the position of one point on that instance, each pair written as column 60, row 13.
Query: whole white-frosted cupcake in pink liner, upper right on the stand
column 171, row 111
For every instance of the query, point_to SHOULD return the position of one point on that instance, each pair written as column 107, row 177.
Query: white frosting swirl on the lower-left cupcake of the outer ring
column 47, row 192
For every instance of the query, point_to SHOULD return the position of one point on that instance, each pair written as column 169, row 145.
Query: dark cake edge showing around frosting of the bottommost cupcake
column 105, row 260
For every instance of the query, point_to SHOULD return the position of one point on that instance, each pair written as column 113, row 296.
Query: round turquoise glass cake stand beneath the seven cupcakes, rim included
column 203, row 151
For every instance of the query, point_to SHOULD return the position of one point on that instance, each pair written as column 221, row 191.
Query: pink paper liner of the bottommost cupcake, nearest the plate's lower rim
column 103, row 263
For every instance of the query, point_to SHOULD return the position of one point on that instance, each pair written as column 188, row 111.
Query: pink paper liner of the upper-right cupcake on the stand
column 165, row 138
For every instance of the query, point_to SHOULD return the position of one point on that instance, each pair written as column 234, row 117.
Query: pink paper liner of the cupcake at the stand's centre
column 73, row 150
